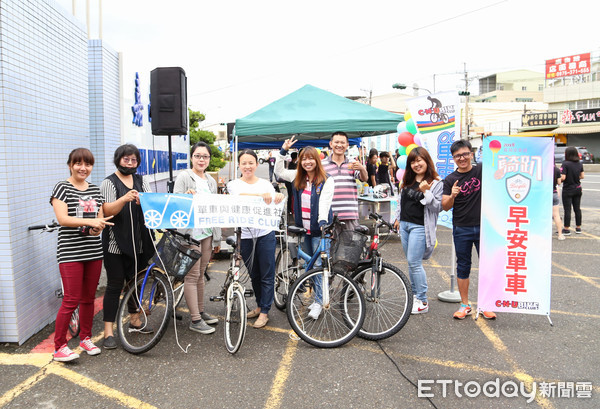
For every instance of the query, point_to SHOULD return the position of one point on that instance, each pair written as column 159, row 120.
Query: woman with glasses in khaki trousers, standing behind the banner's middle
column 197, row 181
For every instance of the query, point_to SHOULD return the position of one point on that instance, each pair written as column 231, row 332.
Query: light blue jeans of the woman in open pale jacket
column 413, row 243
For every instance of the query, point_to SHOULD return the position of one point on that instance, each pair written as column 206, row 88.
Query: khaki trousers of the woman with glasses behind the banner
column 193, row 284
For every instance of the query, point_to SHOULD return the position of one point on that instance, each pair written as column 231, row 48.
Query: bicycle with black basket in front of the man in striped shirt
column 339, row 297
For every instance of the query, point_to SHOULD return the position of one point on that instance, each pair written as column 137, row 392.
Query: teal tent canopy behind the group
column 313, row 113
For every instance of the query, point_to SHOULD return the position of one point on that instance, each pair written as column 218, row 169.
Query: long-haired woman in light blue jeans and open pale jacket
column 419, row 203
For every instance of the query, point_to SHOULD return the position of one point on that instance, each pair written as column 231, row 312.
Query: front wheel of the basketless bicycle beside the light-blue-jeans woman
column 389, row 310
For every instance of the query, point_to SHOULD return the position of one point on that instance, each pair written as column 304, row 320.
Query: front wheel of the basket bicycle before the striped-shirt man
column 338, row 322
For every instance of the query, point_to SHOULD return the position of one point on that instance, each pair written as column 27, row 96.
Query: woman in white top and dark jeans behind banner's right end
column 258, row 245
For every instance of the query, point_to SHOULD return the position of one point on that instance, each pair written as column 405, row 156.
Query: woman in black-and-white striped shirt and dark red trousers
column 78, row 208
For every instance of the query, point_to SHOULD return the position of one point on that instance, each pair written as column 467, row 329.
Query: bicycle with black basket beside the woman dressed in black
column 150, row 295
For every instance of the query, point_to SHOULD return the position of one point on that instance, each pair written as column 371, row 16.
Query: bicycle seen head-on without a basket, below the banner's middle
column 234, row 295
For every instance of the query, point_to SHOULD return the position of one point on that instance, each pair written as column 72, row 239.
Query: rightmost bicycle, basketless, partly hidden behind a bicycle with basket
column 386, row 288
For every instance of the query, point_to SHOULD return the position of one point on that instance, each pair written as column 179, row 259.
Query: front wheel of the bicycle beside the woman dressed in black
column 155, row 310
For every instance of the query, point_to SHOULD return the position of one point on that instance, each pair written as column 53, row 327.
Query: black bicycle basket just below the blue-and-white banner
column 177, row 258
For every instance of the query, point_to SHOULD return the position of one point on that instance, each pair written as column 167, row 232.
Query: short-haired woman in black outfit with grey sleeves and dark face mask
column 127, row 245
